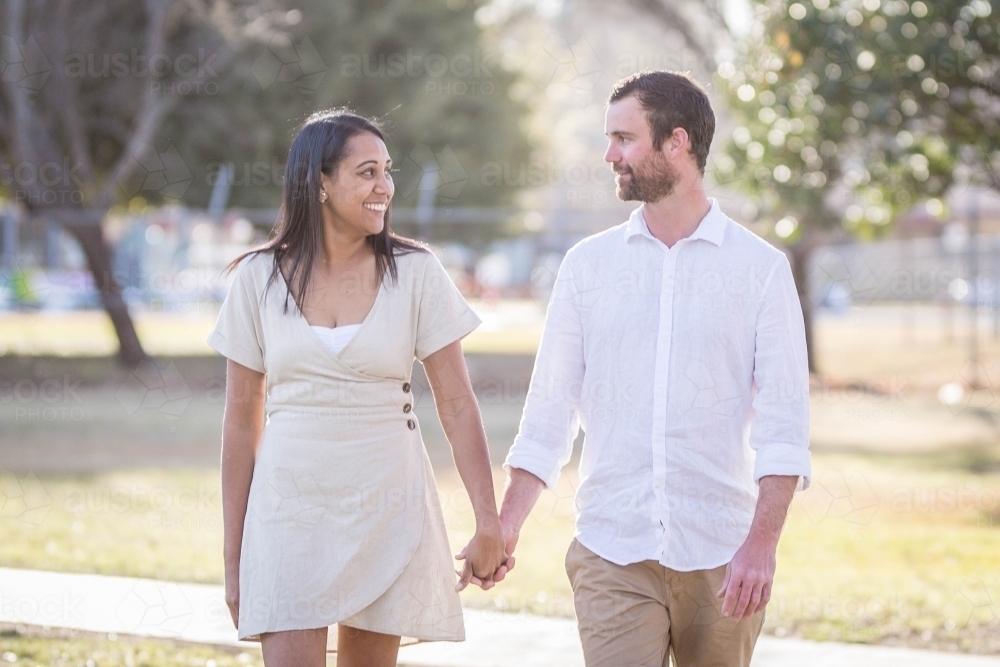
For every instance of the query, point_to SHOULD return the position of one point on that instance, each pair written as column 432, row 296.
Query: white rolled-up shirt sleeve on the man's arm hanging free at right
column 779, row 433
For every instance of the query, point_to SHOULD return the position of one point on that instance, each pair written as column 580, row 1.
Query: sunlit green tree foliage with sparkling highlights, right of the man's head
column 851, row 112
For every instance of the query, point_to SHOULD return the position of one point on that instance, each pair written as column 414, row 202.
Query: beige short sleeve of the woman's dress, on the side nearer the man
column 443, row 316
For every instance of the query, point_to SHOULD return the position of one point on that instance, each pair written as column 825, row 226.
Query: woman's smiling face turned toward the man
column 358, row 193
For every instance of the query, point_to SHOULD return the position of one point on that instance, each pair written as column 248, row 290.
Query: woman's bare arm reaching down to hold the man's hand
column 463, row 425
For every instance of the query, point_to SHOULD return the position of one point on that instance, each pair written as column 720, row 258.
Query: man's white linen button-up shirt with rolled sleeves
column 686, row 367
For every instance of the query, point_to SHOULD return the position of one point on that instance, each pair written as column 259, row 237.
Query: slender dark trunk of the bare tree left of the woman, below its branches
column 130, row 352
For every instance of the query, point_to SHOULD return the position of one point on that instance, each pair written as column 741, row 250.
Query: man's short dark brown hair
column 672, row 100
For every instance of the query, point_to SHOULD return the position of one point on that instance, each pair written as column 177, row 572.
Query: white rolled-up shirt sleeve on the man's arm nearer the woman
column 550, row 421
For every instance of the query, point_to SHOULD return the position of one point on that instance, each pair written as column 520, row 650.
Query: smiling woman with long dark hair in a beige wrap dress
column 331, row 513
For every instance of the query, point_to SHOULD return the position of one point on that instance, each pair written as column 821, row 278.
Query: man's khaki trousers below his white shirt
column 642, row 614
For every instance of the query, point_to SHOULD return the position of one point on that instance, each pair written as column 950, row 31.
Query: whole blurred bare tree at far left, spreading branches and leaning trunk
column 84, row 137
